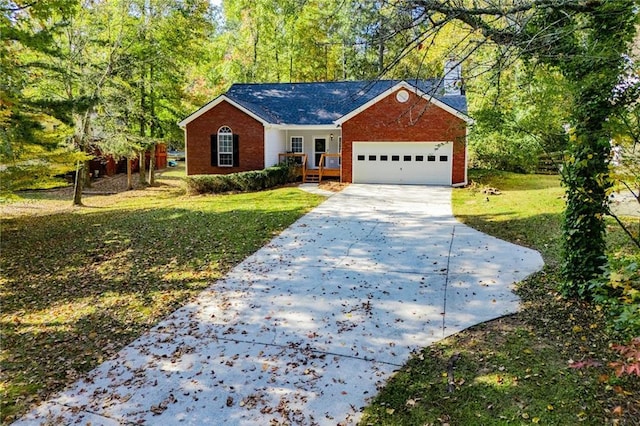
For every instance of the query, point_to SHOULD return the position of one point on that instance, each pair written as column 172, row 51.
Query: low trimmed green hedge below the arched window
column 243, row 181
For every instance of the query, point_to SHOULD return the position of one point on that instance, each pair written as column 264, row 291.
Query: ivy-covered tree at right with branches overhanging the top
column 586, row 41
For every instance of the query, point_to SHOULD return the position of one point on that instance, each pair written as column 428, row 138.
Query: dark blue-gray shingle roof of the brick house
column 323, row 103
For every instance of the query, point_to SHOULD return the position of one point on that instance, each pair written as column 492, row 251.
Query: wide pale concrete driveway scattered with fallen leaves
column 308, row 329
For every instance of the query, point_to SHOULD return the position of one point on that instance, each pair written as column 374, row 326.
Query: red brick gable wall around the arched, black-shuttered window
column 250, row 137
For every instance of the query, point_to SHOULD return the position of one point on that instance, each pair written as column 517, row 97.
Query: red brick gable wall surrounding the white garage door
column 415, row 120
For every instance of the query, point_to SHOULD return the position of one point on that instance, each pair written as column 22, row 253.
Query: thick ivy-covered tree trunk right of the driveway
column 586, row 177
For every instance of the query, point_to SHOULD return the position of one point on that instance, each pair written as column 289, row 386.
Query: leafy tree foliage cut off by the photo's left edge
column 33, row 143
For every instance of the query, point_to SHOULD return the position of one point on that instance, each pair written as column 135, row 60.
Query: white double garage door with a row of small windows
column 422, row 163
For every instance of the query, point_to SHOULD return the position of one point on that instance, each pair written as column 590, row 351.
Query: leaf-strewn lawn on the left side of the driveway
column 78, row 284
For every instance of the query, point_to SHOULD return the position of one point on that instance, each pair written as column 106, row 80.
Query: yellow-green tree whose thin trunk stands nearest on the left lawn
column 67, row 78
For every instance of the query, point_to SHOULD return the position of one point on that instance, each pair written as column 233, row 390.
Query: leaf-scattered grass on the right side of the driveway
column 546, row 365
